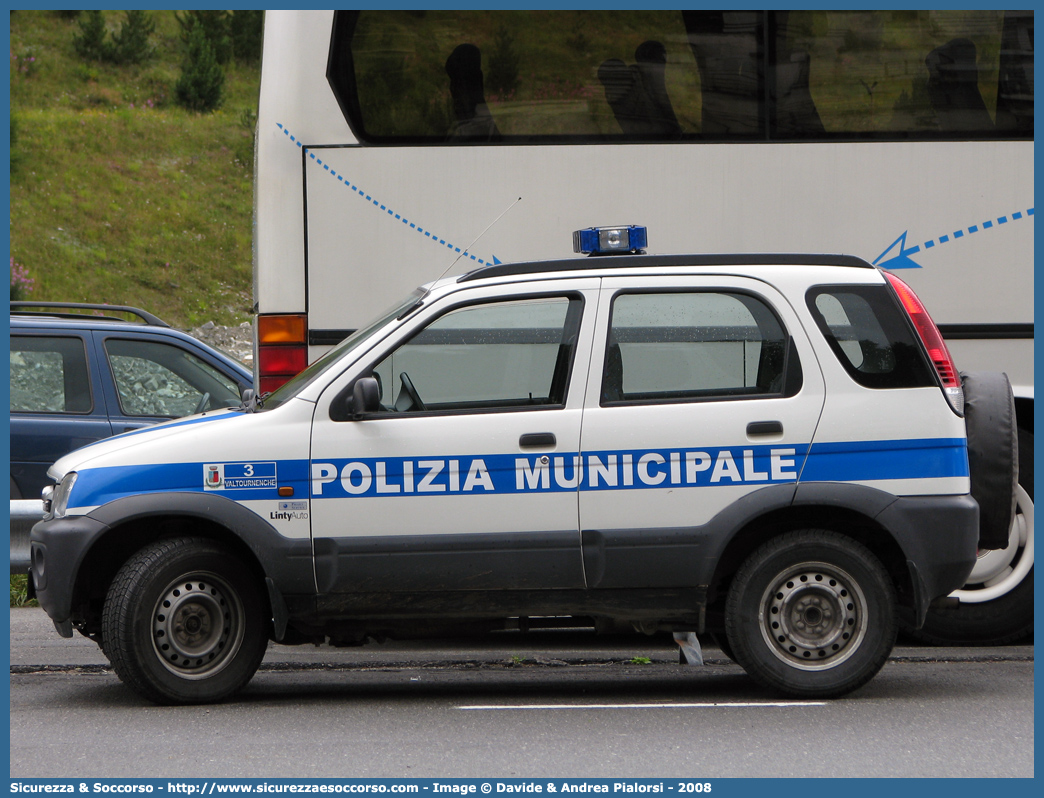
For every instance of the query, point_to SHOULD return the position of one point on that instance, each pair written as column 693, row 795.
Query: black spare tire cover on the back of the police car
column 993, row 453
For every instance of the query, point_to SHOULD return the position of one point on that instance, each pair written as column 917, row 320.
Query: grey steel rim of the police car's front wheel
column 198, row 625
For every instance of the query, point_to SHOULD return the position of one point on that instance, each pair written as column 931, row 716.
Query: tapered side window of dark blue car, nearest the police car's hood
column 159, row 380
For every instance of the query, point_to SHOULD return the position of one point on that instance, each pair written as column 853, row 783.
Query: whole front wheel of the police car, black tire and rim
column 184, row 623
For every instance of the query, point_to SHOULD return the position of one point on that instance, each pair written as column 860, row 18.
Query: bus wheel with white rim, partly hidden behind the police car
column 998, row 604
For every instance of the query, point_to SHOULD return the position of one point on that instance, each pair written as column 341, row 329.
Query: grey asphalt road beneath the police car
column 556, row 706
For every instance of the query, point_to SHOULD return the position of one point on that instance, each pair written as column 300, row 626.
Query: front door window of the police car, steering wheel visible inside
column 505, row 356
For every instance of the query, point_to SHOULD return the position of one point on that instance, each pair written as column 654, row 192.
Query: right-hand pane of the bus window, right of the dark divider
column 935, row 74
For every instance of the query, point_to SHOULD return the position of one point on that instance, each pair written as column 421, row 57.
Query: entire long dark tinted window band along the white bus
column 585, row 77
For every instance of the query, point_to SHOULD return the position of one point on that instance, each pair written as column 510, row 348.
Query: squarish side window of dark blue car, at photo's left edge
column 50, row 375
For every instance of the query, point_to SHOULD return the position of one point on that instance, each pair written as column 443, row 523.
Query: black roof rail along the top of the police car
column 659, row 262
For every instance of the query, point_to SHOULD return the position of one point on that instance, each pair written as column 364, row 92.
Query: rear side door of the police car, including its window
column 703, row 392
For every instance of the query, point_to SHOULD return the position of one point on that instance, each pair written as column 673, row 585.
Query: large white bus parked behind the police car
column 393, row 147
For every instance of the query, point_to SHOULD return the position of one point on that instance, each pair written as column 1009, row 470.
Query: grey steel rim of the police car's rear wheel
column 814, row 617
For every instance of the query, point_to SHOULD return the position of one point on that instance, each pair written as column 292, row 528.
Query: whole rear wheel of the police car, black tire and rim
column 812, row 614
